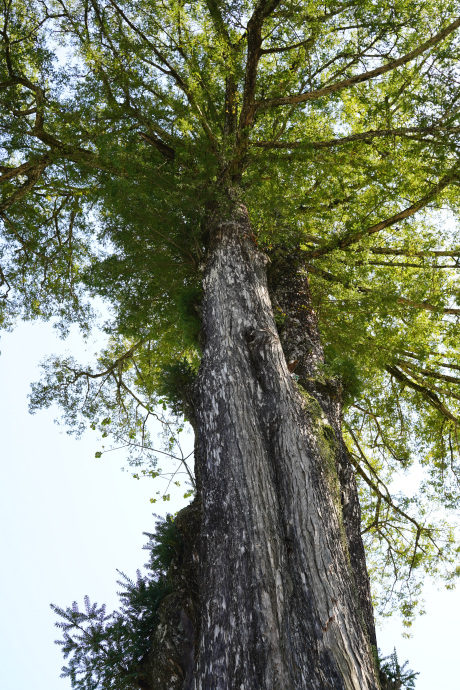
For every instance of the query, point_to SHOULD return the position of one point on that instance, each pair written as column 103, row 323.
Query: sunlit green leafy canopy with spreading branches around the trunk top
column 337, row 124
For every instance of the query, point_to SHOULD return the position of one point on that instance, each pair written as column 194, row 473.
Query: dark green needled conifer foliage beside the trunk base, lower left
column 105, row 650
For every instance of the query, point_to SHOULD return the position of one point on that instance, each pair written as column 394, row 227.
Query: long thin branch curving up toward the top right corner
column 365, row 76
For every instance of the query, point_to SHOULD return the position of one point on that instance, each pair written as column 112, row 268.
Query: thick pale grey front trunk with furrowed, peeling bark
column 279, row 606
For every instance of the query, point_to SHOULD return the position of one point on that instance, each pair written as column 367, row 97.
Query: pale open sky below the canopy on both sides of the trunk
column 70, row 520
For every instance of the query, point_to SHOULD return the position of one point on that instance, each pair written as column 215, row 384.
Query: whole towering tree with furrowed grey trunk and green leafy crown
column 253, row 187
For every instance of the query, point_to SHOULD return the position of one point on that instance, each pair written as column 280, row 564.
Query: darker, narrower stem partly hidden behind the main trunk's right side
column 290, row 294
